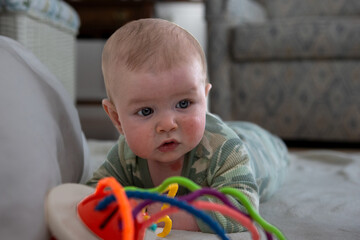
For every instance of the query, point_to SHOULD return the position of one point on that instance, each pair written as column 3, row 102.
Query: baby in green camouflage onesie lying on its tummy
column 156, row 80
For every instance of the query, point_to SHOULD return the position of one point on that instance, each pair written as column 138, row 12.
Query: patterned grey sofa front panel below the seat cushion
column 299, row 100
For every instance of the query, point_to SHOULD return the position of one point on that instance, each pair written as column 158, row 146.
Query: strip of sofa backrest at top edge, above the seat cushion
column 294, row 8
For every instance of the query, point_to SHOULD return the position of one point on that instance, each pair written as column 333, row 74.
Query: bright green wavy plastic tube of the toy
column 225, row 190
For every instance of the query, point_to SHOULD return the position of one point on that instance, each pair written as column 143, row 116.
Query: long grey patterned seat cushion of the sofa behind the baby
column 298, row 38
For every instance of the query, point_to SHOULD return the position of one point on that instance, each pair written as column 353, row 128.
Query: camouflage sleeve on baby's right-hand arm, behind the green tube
column 230, row 167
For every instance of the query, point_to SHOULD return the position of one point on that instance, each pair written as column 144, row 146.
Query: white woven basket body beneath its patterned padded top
column 53, row 45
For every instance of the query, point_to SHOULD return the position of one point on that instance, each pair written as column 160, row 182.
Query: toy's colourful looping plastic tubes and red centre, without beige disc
column 112, row 212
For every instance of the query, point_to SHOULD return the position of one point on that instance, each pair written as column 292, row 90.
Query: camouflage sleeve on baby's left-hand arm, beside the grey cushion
column 112, row 167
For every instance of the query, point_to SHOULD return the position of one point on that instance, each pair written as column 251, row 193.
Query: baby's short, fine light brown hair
column 149, row 45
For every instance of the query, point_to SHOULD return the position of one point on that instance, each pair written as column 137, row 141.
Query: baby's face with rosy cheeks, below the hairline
column 162, row 115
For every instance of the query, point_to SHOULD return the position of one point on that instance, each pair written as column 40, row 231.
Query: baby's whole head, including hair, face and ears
column 156, row 80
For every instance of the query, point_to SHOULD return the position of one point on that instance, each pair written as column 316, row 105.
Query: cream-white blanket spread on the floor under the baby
column 319, row 200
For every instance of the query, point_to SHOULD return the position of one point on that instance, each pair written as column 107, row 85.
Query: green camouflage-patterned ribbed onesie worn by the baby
column 235, row 154
